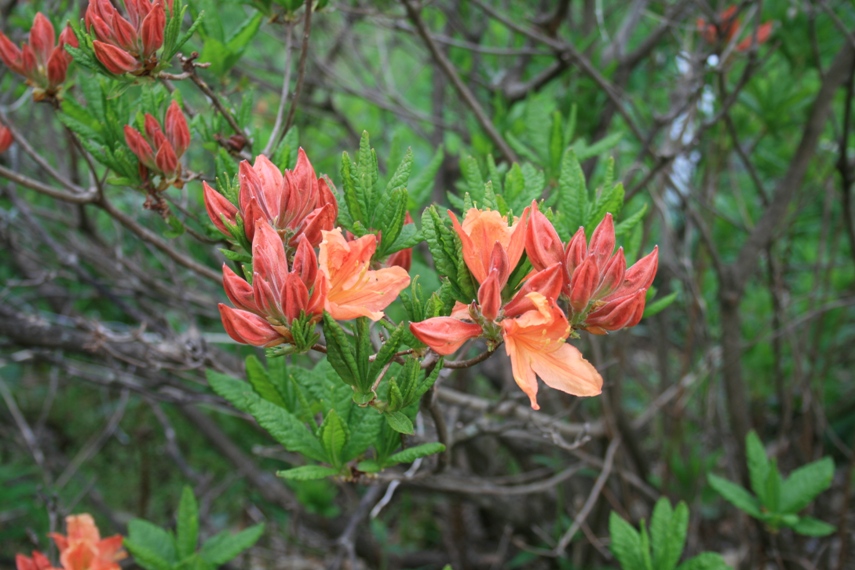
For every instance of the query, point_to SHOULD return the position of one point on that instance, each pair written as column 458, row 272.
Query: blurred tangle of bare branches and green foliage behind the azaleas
column 741, row 160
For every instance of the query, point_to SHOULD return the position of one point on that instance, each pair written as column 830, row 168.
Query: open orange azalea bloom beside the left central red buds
column 355, row 290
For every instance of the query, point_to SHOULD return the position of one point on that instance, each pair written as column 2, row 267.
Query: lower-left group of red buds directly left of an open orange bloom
column 277, row 296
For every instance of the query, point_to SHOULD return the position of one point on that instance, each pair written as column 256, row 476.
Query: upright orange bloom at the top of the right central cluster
column 480, row 232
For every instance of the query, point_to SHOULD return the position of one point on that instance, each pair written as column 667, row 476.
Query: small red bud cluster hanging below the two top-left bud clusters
column 159, row 152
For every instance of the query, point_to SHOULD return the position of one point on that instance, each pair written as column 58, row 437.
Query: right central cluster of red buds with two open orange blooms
column 591, row 281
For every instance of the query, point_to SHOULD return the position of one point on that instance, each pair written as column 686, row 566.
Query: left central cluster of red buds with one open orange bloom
column 285, row 217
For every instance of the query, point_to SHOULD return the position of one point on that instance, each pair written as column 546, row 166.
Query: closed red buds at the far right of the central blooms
column 602, row 294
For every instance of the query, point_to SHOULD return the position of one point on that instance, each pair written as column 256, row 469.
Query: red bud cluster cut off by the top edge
column 127, row 45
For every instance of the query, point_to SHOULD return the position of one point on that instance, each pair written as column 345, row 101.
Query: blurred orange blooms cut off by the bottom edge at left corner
column 82, row 549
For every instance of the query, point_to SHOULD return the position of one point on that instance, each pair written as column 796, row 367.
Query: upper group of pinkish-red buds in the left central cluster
column 296, row 203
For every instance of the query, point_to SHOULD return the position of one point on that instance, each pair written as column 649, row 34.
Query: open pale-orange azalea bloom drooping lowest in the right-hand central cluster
column 535, row 343
